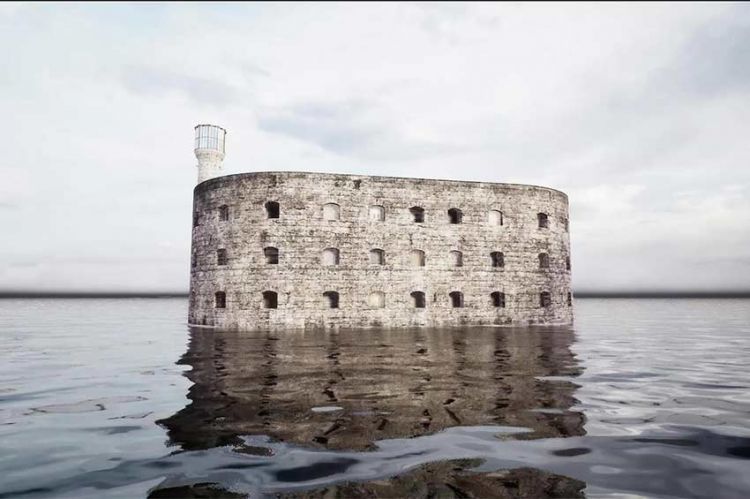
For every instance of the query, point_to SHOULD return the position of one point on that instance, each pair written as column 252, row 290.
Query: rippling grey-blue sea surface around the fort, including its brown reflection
column 117, row 398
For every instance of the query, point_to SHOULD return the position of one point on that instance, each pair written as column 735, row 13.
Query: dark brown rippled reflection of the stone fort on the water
column 348, row 389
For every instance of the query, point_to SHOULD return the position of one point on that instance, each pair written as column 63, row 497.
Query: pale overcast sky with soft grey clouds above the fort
column 639, row 112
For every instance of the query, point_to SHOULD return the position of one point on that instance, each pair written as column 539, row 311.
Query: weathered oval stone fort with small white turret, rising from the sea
column 316, row 250
